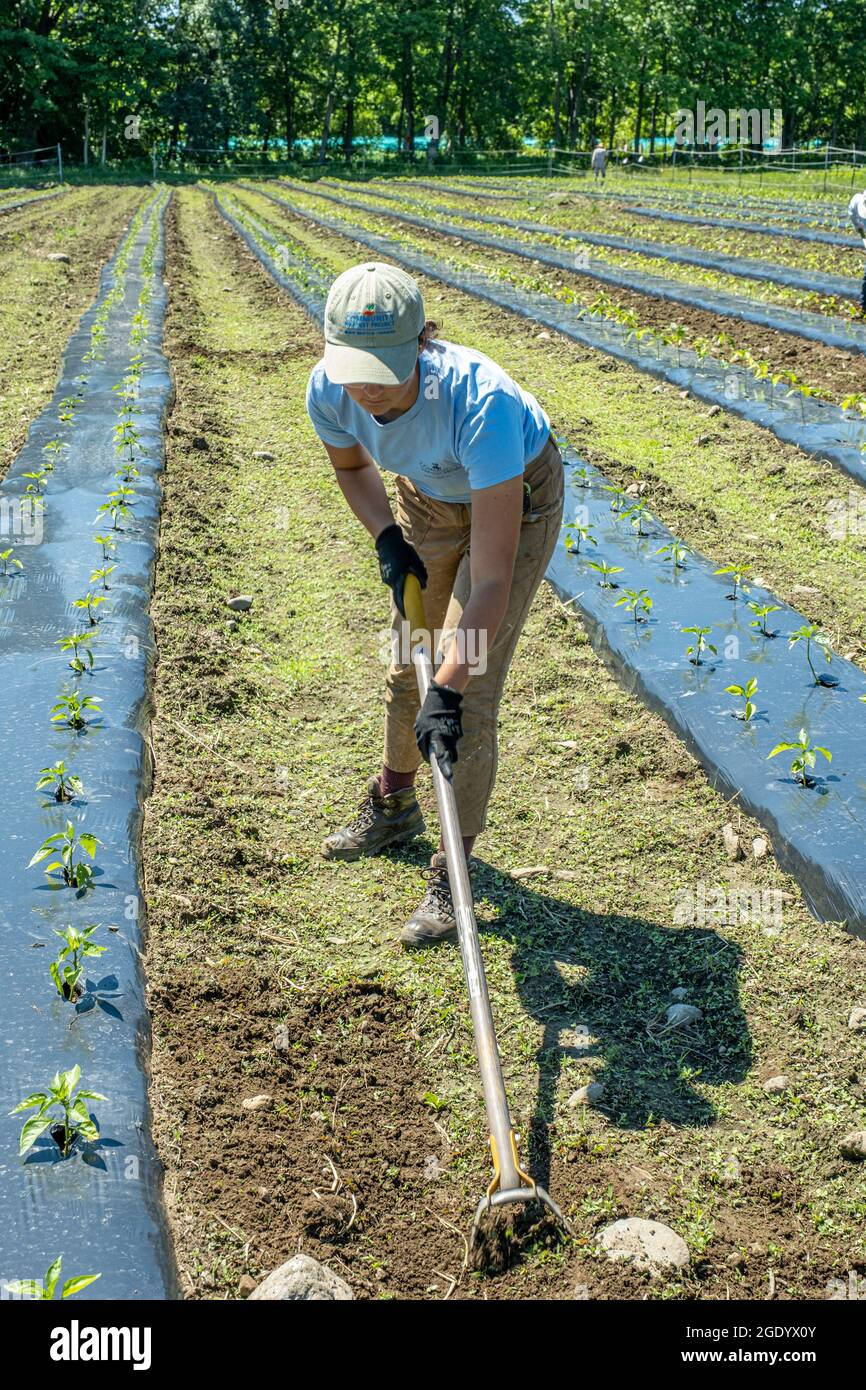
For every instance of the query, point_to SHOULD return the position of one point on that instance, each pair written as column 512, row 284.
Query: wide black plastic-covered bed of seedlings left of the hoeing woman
column 76, row 650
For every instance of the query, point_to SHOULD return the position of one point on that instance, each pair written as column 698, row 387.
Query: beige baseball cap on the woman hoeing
column 373, row 319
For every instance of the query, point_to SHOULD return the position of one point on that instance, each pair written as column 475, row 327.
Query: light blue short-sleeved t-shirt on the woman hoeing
column 471, row 427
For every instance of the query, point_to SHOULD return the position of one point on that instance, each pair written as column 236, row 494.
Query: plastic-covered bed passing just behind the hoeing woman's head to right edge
column 817, row 427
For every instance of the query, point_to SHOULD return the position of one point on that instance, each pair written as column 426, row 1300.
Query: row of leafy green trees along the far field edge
column 127, row 77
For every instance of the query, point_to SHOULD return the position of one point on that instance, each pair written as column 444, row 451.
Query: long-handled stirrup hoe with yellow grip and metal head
column 509, row 1182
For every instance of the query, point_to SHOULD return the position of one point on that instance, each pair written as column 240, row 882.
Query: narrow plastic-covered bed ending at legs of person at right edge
column 739, row 266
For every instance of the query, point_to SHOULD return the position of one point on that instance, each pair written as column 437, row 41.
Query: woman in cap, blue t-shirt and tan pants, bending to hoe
column 479, row 511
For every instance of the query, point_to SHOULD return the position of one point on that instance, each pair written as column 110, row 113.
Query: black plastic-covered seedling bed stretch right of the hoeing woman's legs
column 648, row 605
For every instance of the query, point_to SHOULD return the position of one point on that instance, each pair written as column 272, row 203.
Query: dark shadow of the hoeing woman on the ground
column 603, row 986
